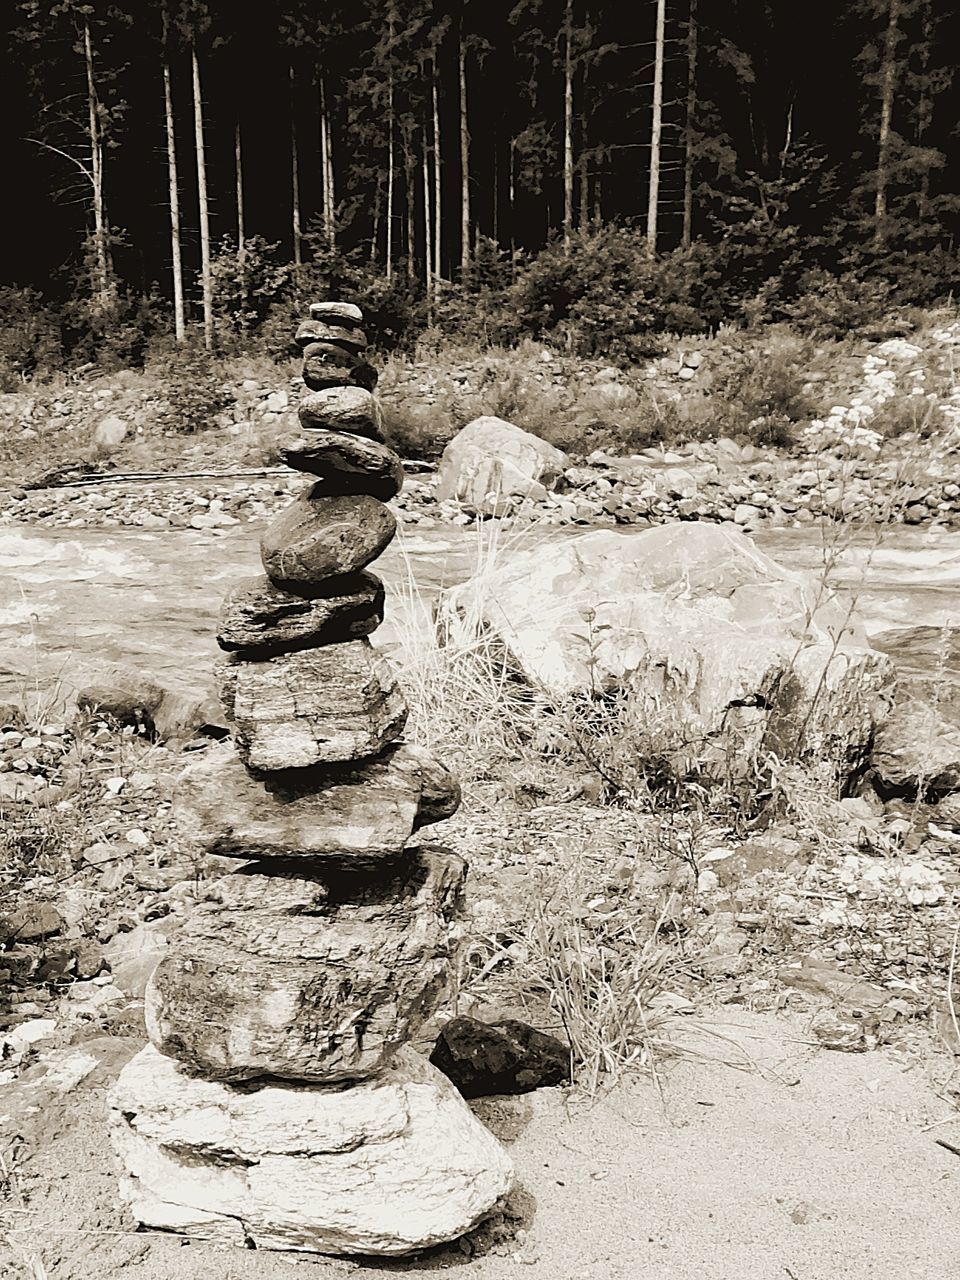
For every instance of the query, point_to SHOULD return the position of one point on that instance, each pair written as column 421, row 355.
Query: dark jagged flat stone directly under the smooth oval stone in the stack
column 259, row 618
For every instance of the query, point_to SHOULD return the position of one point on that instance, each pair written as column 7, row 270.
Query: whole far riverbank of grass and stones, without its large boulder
column 764, row 429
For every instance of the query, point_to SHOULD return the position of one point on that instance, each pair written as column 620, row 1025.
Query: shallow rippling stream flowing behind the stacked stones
column 152, row 600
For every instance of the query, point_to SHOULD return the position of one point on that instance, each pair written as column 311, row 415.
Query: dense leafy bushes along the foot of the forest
column 605, row 296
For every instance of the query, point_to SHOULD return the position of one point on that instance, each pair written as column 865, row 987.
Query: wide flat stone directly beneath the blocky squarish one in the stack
column 365, row 811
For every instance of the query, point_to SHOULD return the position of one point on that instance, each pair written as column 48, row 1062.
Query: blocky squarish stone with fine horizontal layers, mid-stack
column 314, row 707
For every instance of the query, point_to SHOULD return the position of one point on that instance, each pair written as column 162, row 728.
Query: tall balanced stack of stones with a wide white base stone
column 280, row 1103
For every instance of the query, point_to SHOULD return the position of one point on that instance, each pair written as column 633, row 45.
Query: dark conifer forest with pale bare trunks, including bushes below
column 188, row 170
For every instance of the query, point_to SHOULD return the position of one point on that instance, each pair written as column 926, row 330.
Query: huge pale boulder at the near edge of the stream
column 720, row 655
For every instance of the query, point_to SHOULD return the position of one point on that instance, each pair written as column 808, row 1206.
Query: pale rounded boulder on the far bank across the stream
column 492, row 465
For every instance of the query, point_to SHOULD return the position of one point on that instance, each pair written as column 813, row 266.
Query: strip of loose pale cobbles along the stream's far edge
column 717, row 481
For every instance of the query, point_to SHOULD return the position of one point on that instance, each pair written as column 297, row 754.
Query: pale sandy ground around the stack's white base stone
column 798, row 1165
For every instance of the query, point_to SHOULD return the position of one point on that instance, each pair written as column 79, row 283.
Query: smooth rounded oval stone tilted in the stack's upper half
column 321, row 537
